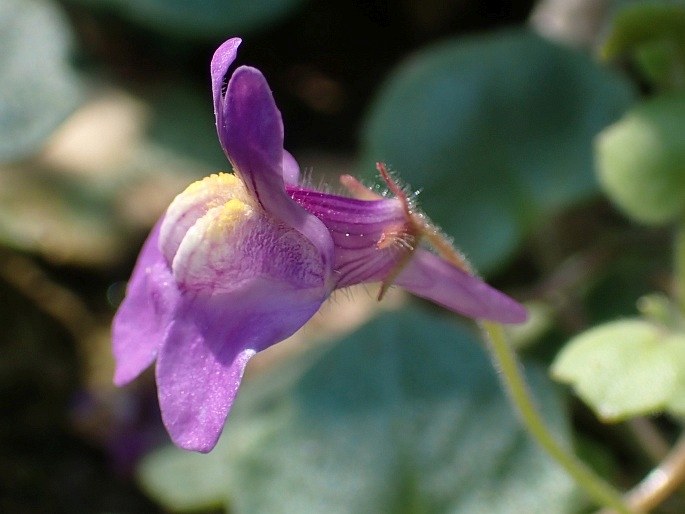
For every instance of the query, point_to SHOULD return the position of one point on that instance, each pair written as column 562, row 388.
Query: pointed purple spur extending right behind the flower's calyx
column 433, row 278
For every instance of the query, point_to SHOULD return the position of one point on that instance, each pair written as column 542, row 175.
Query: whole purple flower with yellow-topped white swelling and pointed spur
column 241, row 261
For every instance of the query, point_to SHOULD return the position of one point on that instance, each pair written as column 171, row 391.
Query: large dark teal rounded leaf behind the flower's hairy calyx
column 496, row 131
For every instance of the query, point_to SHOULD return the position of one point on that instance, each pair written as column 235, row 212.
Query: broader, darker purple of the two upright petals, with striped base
column 253, row 142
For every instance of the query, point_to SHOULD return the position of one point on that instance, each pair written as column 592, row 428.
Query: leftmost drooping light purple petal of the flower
column 141, row 321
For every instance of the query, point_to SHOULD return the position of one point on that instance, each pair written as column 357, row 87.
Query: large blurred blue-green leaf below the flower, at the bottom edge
column 405, row 415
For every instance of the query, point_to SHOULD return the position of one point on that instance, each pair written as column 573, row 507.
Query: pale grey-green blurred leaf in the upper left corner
column 38, row 89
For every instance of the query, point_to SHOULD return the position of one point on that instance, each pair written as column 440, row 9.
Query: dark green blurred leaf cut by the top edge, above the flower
column 200, row 19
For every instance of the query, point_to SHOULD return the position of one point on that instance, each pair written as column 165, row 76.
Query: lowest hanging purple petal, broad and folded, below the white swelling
column 201, row 364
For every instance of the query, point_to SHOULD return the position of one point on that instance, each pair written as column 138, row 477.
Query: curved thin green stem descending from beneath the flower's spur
column 507, row 363
